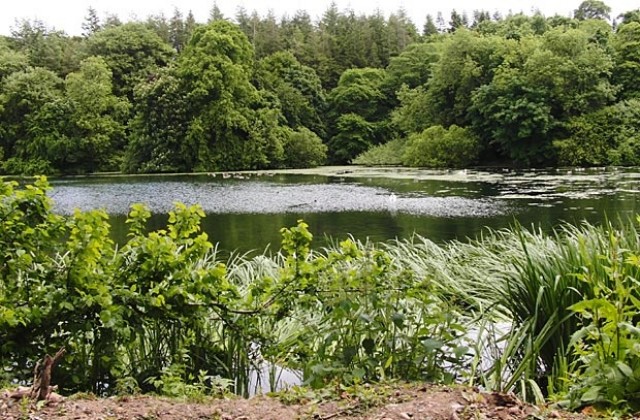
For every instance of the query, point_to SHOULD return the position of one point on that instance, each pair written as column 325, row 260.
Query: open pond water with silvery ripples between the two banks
column 246, row 210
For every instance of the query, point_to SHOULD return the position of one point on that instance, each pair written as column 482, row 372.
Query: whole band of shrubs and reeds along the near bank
column 548, row 316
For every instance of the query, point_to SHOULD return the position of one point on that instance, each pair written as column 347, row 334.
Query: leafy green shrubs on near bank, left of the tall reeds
column 162, row 313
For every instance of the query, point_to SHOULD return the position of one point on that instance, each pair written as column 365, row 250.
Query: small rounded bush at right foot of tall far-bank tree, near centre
column 304, row 149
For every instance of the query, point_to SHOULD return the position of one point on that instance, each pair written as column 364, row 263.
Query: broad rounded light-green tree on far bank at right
column 543, row 83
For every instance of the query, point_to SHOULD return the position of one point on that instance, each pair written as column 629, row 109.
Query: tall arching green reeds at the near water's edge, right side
column 529, row 280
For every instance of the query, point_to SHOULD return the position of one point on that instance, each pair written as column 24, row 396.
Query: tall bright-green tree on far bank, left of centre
column 215, row 70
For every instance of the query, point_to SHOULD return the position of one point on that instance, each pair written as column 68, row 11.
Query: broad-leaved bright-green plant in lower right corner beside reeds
column 607, row 371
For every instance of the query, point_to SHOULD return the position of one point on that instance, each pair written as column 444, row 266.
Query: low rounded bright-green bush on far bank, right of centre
column 438, row 147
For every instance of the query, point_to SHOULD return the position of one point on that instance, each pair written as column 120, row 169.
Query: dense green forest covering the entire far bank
column 170, row 94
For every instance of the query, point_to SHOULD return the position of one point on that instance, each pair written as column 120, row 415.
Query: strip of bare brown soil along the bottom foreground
column 401, row 402
